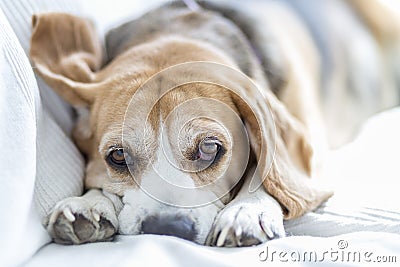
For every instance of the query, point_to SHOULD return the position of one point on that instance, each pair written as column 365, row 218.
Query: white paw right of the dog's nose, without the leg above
column 244, row 225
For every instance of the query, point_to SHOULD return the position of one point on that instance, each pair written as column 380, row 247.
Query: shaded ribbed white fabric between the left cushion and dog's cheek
column 60, row 166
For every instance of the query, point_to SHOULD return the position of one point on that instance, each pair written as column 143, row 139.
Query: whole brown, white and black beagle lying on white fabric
column 206, row 121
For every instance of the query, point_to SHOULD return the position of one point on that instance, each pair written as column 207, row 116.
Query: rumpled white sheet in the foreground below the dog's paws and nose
column 162, row 251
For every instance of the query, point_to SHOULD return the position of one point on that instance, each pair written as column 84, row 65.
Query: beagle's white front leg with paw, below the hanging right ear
column 249, row 219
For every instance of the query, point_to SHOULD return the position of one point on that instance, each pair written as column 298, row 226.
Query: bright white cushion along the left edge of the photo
column 20, row 229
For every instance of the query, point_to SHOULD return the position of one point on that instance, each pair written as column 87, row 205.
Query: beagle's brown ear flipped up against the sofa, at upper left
column 66, row 52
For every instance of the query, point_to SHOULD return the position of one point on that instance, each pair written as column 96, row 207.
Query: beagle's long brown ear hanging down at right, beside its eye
column 286, row 173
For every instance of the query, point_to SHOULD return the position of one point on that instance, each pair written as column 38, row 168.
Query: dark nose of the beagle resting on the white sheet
column 175, row 225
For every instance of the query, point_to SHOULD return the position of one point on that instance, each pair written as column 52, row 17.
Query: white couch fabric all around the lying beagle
column 34, row 146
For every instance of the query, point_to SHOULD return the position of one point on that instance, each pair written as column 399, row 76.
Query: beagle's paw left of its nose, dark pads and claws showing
column 75, row 221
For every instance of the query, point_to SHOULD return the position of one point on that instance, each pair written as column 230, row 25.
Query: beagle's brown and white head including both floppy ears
column 173, row 127
